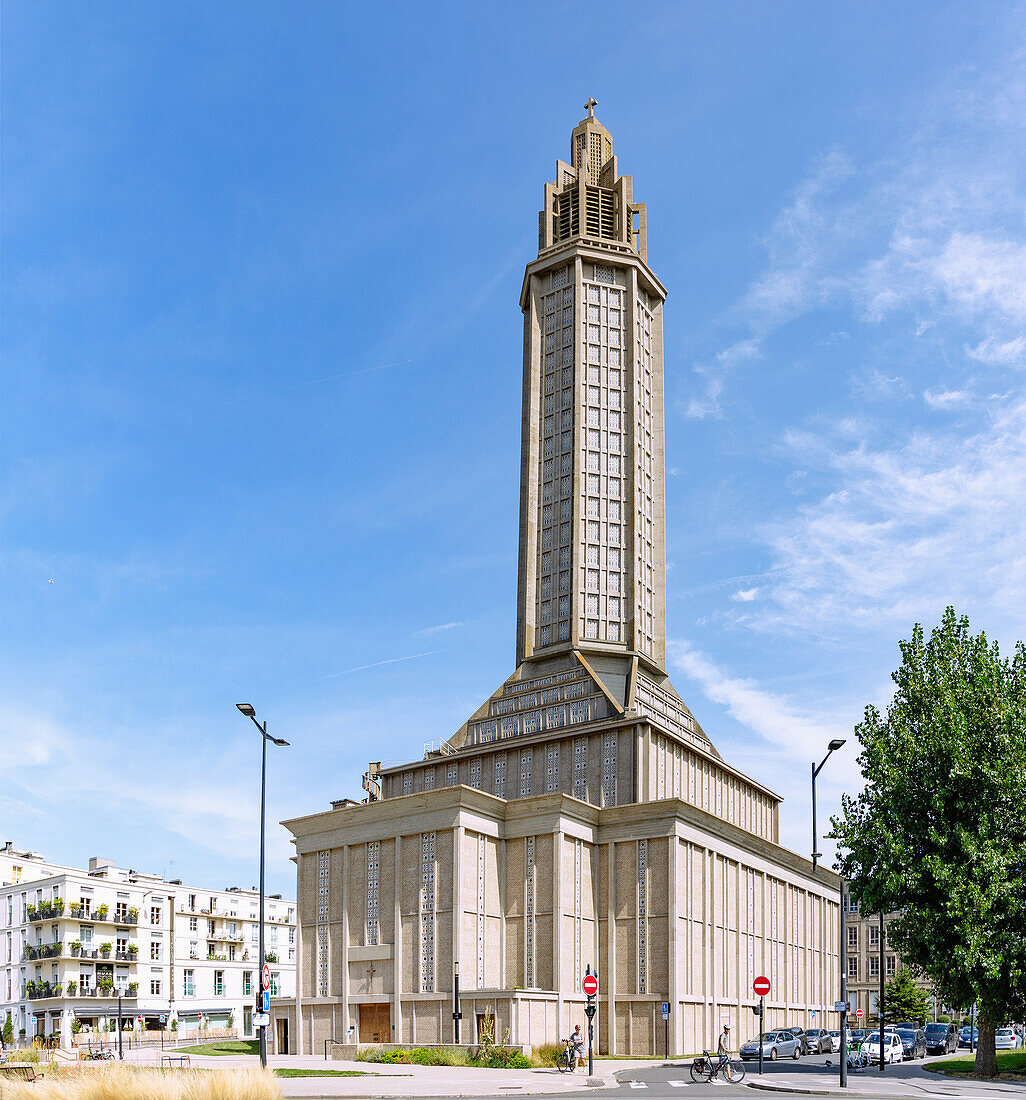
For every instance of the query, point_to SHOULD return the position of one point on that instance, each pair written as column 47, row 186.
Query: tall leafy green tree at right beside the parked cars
column 939, row 833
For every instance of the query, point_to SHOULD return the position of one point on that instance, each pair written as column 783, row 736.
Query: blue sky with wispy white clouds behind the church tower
column 262, row 372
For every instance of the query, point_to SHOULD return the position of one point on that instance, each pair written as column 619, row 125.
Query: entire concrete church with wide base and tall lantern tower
column 582, row 816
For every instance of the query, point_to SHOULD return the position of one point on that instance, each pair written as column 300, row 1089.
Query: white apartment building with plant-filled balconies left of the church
column 73, row 940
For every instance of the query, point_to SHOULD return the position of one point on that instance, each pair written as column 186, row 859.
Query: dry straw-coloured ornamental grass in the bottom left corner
column 124, row 1083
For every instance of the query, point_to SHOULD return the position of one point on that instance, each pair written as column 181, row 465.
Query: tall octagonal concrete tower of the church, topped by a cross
column 592, row 564
